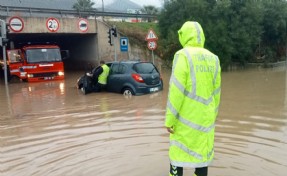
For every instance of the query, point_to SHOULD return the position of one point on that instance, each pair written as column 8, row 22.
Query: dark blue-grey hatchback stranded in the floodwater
column 132, row 78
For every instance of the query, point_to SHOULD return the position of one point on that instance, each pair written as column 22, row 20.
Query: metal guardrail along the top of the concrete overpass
column 7, row 11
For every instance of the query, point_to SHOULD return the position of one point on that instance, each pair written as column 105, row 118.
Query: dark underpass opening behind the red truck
column 82, row 47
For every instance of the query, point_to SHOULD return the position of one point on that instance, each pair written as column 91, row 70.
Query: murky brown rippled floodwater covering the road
column 51, row 129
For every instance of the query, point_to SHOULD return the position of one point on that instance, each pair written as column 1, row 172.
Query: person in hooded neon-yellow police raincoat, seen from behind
column 193, row 101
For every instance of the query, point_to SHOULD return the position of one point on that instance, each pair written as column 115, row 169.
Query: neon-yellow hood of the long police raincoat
column 191, row 34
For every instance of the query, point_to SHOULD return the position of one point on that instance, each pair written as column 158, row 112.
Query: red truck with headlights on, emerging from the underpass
column 33, row 63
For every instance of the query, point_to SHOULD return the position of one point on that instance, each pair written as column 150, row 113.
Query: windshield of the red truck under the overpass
column 43, row 55
